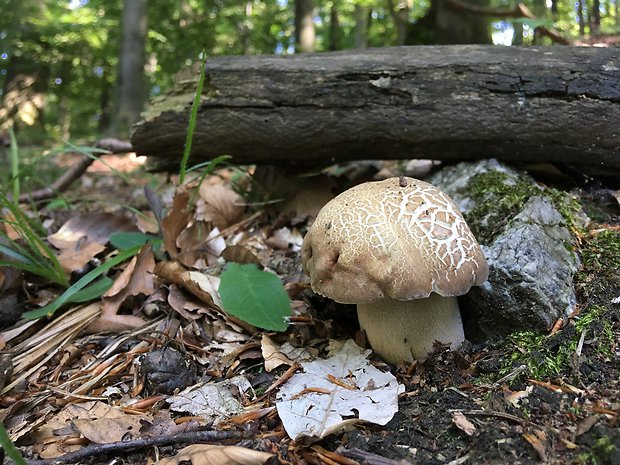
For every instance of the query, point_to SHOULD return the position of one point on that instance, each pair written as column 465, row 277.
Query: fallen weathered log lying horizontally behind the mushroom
column 558, row 104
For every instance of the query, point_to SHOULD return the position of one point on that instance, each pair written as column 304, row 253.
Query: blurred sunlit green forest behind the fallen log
column 84, row 69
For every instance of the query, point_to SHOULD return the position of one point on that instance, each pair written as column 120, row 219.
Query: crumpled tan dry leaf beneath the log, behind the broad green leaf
column 220, row 205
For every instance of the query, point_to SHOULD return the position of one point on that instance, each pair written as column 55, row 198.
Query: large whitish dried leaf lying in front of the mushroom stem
column 336, row 392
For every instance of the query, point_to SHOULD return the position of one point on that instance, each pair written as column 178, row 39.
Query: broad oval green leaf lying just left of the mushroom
column 255, row 296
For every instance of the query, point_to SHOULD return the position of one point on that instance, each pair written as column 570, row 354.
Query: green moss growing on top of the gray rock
column 500, row 196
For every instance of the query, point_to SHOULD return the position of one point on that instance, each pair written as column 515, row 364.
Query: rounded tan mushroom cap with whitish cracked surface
column 400, row 238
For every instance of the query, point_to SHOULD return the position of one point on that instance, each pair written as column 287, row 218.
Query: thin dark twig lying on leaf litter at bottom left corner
column 126, row 446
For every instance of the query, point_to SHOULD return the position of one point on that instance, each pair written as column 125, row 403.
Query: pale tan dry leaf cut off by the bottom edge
column 207, row 454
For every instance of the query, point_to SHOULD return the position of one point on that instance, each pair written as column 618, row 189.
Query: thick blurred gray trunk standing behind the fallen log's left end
column 131, row 86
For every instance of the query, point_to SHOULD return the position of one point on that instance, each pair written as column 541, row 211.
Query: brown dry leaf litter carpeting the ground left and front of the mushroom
column 222, row 374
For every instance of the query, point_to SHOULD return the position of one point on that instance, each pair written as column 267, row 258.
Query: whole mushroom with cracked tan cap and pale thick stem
column 401, row 250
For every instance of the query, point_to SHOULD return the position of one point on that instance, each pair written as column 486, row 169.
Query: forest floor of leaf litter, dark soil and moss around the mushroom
column 523, row 399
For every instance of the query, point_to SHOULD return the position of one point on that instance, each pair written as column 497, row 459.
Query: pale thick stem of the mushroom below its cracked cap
column 406, row 330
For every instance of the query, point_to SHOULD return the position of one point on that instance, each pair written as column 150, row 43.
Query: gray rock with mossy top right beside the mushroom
column 532, row 260
